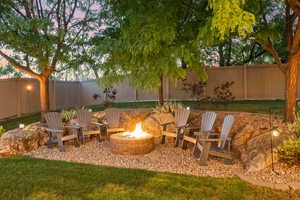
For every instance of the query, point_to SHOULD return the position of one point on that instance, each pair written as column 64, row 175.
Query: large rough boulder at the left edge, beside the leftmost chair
column 19, row 141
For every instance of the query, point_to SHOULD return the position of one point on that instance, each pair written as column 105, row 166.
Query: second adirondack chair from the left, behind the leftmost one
column 85, row 123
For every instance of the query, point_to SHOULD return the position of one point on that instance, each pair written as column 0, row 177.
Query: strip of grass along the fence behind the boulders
column 254, row 106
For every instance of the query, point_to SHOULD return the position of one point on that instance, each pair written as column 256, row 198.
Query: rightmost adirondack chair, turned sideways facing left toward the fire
column 204, row 143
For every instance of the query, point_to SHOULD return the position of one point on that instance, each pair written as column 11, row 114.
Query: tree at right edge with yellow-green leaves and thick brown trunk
column 266, row 30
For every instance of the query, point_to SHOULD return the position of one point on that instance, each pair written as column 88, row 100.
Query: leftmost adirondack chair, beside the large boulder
column 56, row 130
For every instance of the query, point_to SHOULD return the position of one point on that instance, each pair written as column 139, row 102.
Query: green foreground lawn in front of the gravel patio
column 25, row 178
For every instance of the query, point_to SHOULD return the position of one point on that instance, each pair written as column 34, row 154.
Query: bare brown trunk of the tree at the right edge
column 291, row 84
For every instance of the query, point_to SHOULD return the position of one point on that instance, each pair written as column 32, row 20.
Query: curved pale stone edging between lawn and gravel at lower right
column 284, row 187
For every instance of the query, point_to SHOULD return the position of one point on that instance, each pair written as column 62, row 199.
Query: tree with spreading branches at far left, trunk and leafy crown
column 44, row 35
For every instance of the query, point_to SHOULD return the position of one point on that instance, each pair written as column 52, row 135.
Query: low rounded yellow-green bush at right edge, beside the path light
column 289, row 152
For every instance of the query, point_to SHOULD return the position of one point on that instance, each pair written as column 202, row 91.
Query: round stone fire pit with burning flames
column 132, row 143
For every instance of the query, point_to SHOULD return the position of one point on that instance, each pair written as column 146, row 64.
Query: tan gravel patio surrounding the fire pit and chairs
column 164, row 158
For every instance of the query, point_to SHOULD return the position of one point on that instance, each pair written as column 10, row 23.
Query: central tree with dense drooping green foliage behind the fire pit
column 146, row 40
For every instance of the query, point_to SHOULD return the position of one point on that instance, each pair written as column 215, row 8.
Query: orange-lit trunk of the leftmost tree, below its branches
column 44, row 93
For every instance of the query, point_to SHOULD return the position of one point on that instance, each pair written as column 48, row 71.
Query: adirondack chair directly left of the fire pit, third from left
column 112, row 122
